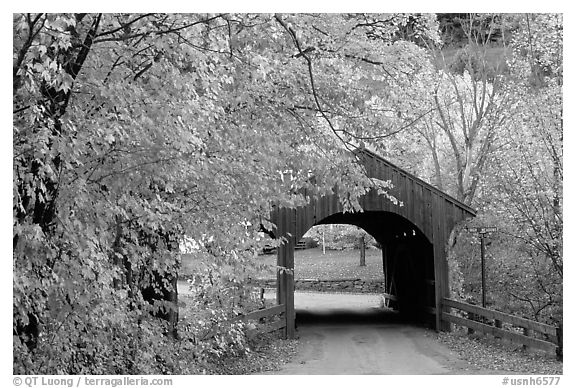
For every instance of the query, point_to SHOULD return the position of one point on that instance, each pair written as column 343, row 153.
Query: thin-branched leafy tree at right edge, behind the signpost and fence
column 521, row 192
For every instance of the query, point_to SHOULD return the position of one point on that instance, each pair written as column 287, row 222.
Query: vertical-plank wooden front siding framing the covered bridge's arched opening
column 434, row 213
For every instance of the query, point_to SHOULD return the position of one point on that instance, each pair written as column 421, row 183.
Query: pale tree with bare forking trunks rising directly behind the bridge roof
column 461, row 93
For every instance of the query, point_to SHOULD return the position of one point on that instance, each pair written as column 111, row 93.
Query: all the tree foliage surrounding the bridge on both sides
column 135, row 132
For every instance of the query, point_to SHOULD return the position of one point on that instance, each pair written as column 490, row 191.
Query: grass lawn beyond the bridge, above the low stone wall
column 313, row 264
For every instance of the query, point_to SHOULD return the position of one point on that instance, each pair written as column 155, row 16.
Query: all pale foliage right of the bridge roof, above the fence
column 493, row 139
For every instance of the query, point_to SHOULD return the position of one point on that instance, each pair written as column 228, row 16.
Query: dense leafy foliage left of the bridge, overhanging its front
column 131, row 132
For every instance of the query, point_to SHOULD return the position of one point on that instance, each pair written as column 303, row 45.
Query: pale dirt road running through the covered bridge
column 352, row 334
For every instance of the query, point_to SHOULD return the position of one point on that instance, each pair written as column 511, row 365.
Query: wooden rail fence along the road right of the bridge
column 520, row 330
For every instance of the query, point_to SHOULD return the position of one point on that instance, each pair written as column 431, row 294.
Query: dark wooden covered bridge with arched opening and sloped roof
column 413, row 238
